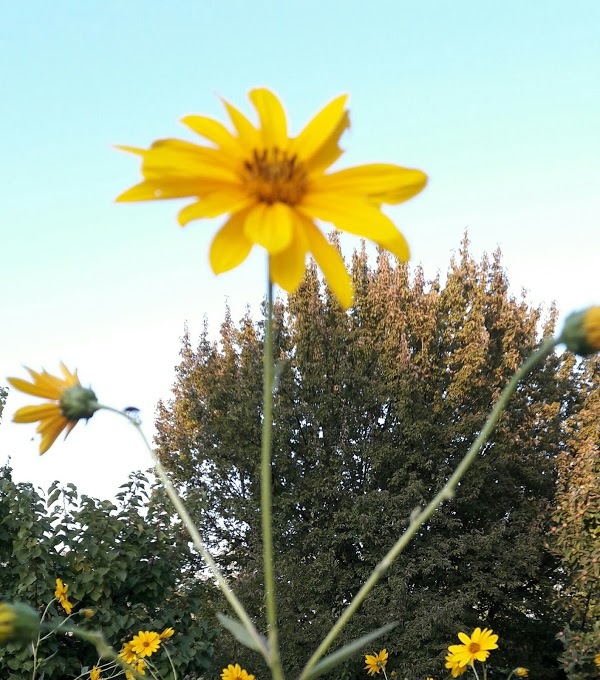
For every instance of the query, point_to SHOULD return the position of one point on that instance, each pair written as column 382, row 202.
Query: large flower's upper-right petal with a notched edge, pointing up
column 317, row 144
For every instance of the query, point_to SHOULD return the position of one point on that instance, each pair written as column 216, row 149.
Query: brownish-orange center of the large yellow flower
column 274, row 176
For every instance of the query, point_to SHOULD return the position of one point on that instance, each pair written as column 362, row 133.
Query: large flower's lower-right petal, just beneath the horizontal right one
column 356, row 217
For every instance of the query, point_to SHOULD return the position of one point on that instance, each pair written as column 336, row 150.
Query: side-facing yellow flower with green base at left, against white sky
column 69, row 402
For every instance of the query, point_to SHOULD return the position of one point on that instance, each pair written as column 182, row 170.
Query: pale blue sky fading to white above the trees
column 498, row 102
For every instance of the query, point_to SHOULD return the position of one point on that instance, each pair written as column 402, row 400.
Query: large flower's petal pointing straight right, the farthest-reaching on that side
column 381, row 182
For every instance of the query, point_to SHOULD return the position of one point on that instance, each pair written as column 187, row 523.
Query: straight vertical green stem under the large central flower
column 266, row 481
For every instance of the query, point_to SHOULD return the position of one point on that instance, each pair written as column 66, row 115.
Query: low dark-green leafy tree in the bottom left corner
column 127, row 561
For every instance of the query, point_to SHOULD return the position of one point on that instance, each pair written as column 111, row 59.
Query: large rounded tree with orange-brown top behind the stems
column 373, row 411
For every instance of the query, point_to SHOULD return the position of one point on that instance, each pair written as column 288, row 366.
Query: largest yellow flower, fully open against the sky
column 274, row 186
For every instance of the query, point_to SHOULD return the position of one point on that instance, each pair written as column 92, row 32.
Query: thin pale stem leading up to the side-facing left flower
column 179, row 506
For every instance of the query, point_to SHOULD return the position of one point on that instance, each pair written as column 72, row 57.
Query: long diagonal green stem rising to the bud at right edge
column 419, row 517
